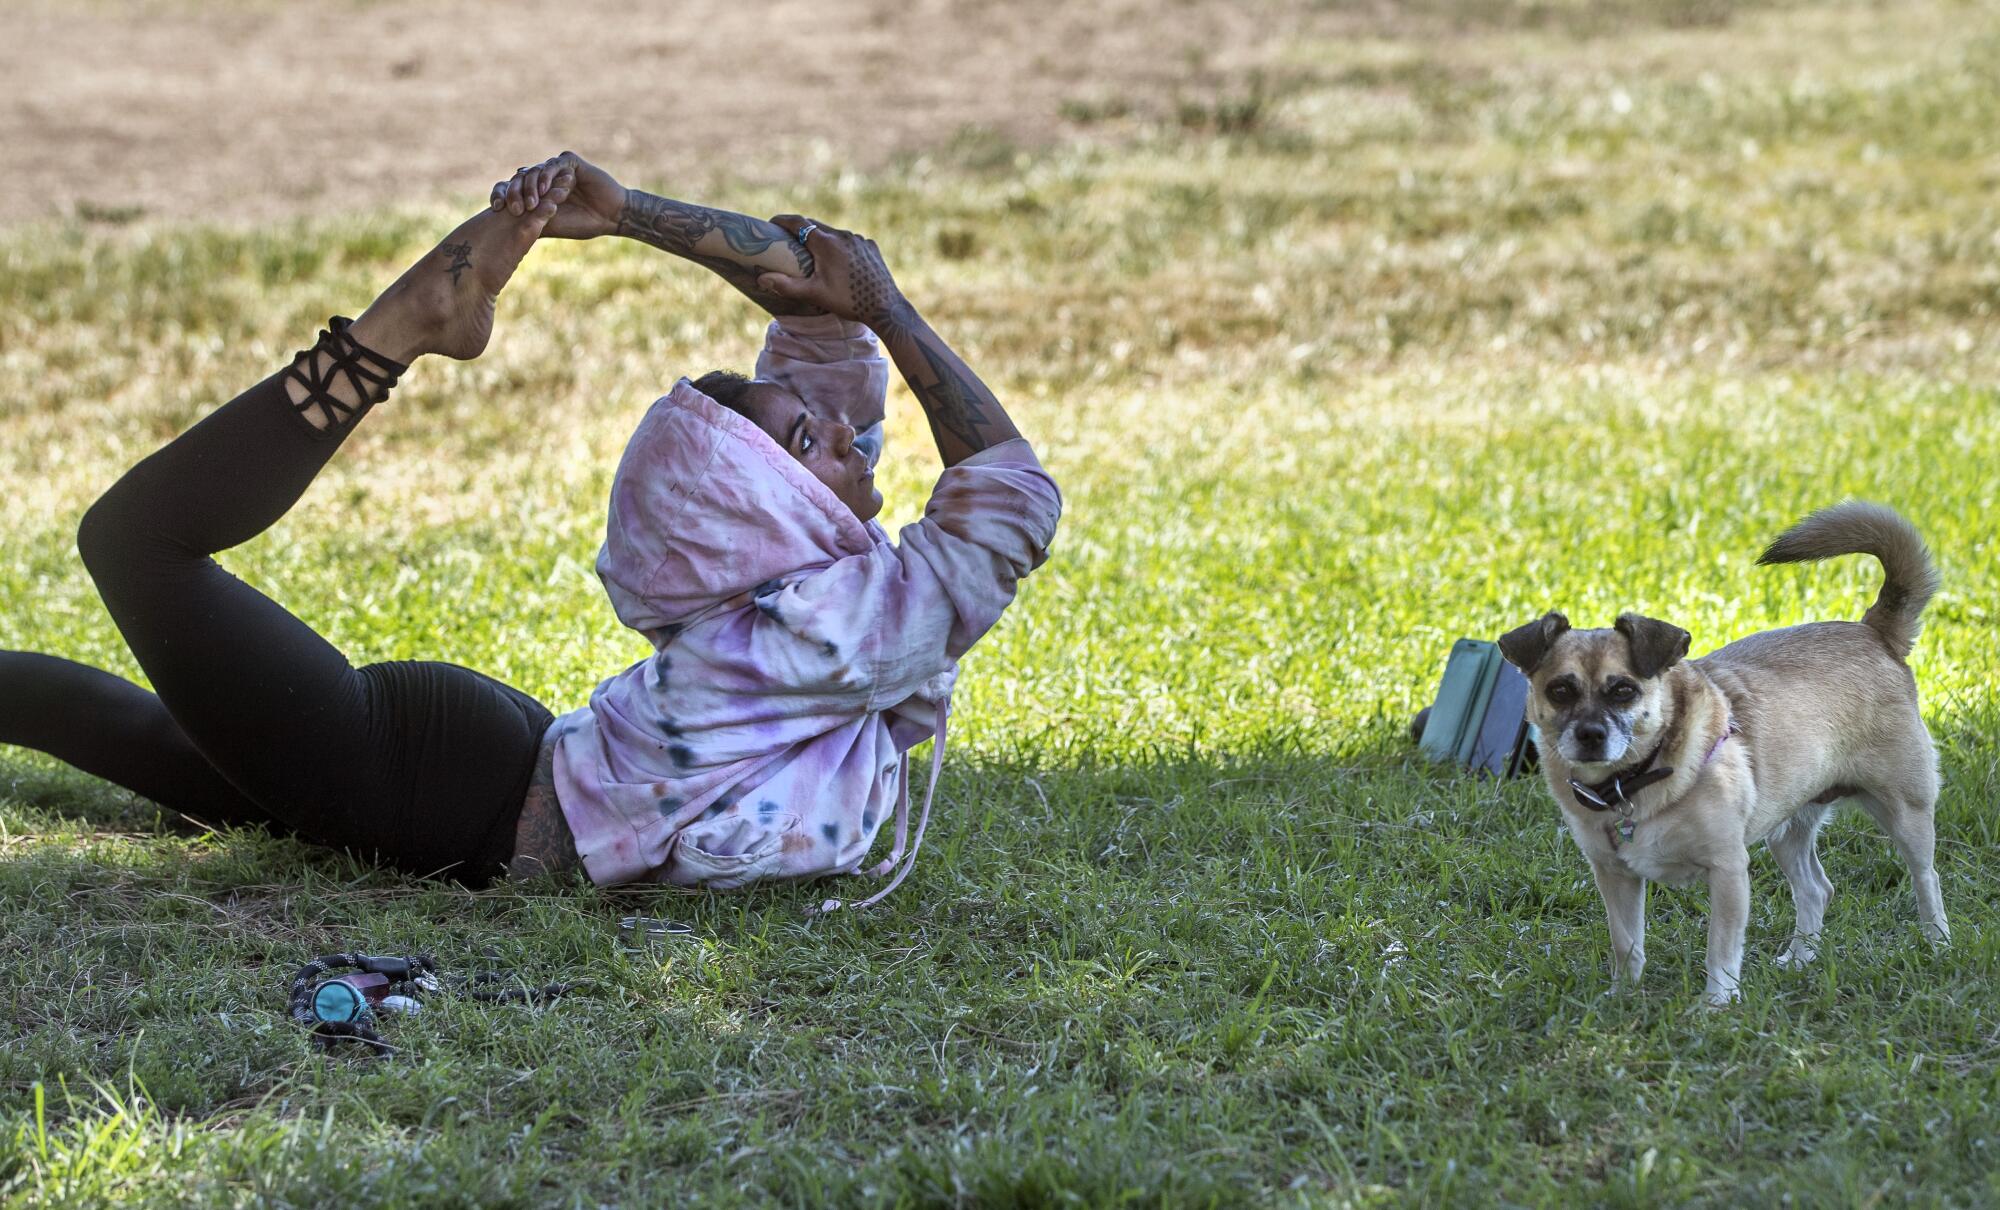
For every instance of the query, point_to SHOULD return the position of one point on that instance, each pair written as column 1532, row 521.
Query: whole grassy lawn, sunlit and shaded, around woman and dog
column 1405, row 341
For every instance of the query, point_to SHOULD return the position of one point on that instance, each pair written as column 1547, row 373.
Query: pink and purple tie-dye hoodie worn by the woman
column 797, row 651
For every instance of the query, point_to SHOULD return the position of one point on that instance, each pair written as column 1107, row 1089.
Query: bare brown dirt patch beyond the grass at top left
column 253, row 109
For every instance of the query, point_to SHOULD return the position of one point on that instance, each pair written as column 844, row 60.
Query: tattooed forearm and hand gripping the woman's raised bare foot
column 735, row 247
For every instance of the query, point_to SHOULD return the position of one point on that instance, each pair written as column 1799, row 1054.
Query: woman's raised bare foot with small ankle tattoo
column 445, row 303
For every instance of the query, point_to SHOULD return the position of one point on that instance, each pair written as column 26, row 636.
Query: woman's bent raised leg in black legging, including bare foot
column 269, row 703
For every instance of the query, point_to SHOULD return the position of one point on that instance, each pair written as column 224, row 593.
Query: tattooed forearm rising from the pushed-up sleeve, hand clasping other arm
column 851, row 281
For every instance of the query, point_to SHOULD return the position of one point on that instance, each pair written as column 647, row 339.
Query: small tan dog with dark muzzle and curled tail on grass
column 1669, row 771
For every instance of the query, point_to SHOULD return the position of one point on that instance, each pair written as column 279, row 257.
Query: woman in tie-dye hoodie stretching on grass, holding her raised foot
column 797, row 651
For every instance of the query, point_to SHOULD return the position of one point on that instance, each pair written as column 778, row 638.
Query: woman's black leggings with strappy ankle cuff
column 261, row 721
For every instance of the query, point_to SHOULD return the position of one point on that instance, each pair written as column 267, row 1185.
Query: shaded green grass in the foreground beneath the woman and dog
column 1163, row 963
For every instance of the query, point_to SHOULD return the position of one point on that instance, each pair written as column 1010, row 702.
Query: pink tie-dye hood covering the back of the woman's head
column 707, row 507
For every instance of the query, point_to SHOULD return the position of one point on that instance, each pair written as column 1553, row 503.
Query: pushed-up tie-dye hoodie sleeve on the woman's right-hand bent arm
column 901, row 615
